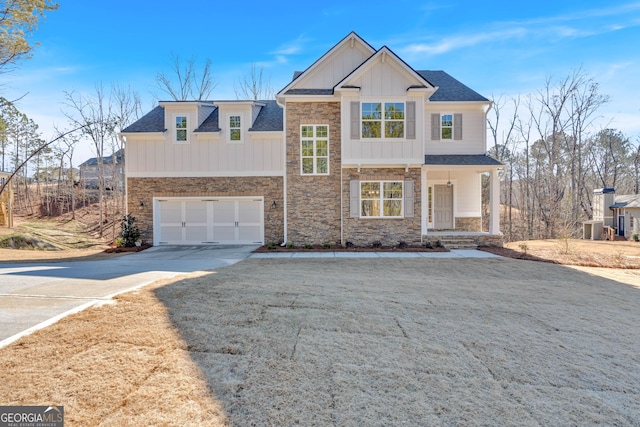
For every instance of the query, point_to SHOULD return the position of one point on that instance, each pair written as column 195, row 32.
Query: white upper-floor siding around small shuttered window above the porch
column 473, row 131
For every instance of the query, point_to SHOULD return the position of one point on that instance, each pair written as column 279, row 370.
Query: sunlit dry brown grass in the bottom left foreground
column 119, row 364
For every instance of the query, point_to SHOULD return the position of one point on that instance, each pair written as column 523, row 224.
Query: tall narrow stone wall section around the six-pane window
column 313, row 201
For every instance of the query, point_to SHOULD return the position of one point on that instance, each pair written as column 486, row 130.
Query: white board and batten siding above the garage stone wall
column 257, row 156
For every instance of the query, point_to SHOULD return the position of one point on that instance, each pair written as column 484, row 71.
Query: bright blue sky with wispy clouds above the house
column 498, row 48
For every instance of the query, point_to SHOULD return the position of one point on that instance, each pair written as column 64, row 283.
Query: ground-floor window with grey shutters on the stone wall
column 381, row 199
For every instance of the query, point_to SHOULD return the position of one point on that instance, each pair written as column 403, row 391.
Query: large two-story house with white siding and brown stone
column 358, row 148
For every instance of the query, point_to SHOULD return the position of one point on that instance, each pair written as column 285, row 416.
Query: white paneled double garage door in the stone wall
column 209, row 221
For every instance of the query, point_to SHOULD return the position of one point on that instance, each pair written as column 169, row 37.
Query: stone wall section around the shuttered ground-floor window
column 363, row 232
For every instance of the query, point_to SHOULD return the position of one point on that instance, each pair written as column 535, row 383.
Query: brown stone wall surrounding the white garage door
column 145, row 189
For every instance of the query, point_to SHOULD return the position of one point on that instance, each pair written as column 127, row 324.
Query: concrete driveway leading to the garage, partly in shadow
column 33, row 296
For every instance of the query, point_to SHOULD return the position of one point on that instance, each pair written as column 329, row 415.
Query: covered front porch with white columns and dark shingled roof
column 453, row 198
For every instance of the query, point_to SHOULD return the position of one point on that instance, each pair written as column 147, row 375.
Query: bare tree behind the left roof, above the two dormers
column 185, row 83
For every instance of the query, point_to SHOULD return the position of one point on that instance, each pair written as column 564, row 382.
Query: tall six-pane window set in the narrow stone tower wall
column 314, row 149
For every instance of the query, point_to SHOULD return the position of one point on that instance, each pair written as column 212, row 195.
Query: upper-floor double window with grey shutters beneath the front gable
column 377, row 122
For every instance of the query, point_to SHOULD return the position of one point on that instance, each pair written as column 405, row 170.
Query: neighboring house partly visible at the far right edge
column 618, row 211
